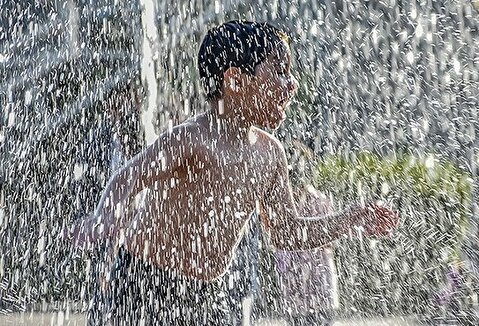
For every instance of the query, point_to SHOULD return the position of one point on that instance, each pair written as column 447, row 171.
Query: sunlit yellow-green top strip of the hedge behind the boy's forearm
column 425, row 177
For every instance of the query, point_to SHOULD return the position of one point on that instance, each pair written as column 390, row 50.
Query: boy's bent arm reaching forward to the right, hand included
column 289, row 231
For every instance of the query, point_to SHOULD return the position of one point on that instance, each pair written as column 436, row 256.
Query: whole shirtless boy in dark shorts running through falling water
column 206, row 177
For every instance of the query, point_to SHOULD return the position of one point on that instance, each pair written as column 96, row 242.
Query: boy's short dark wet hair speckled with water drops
column 240, row 44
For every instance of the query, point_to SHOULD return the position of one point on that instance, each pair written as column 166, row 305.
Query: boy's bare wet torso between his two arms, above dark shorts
column 192, row 221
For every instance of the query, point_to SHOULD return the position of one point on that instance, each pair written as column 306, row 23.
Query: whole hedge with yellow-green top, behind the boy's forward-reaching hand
column 400, row 274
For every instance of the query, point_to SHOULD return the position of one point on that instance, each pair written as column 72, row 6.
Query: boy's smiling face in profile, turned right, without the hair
column 271, row 89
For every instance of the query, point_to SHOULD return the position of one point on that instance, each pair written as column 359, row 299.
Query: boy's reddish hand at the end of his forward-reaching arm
column 379, row 220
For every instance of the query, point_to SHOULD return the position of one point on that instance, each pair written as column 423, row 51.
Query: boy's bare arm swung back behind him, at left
column 155, row 164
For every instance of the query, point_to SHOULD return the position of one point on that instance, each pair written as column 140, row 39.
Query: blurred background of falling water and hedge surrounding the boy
column 387, row 110
